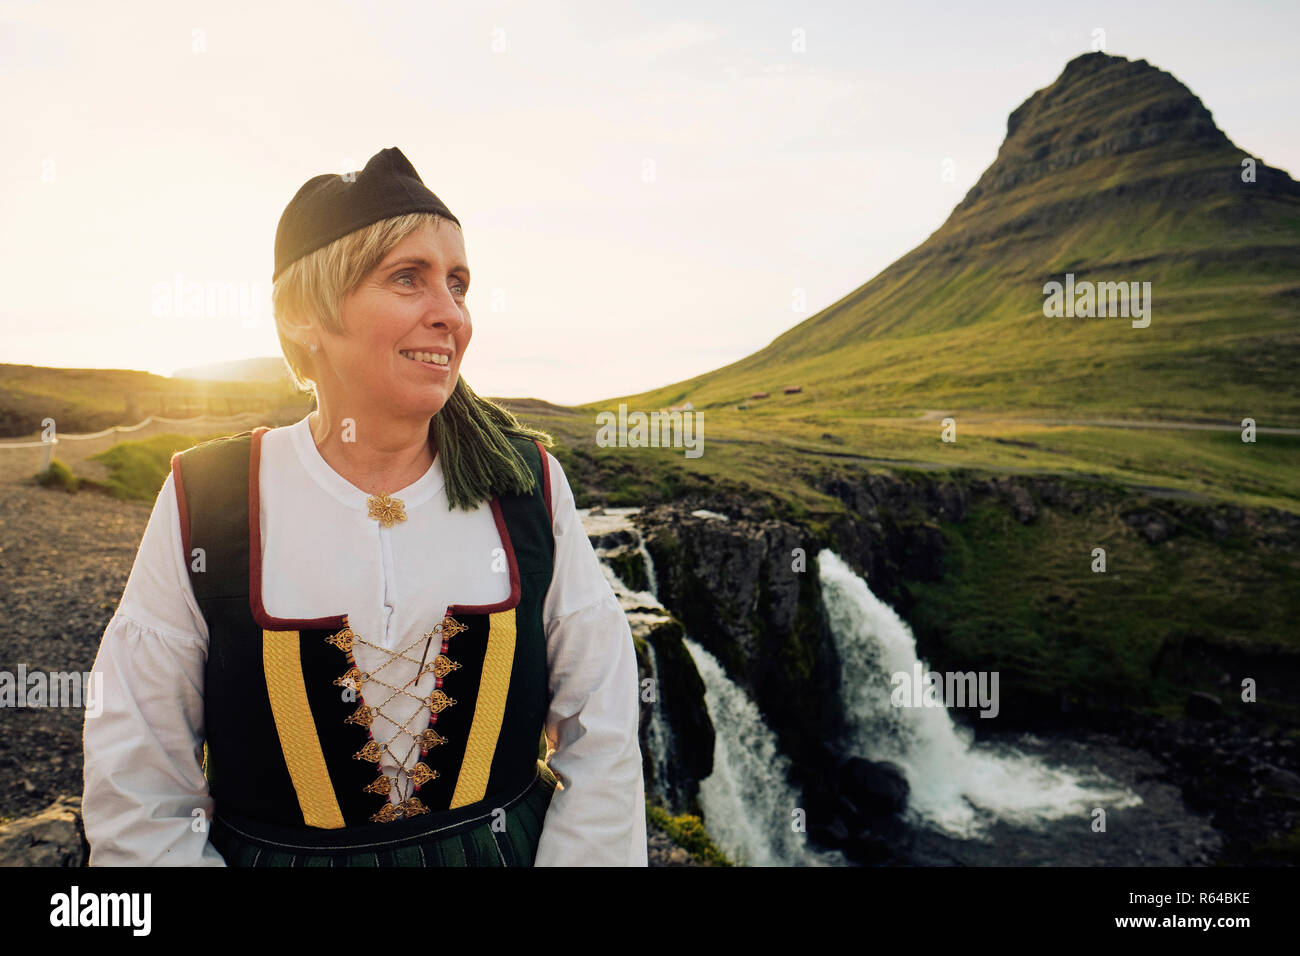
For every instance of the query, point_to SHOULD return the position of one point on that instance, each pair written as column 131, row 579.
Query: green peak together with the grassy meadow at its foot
column 1116, row 172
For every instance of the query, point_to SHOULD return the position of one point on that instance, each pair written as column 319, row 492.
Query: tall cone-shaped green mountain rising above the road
column 1113, row 174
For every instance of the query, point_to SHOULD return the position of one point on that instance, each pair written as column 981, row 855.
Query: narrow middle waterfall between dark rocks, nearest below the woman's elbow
column 747, row 799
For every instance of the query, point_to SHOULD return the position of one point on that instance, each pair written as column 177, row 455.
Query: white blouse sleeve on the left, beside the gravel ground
column 144, row 730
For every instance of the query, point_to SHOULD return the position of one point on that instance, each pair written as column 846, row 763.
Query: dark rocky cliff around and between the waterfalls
column 740, row 590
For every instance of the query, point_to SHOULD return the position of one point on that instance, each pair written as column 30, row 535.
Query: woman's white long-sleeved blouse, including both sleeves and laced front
column 323, row 556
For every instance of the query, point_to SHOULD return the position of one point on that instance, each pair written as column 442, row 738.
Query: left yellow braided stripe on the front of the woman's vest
column 283, row 663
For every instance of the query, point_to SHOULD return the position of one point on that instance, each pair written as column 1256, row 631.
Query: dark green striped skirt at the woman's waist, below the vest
column 475, row 836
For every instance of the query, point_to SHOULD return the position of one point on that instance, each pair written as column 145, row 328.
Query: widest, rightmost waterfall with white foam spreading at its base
column 957, row 786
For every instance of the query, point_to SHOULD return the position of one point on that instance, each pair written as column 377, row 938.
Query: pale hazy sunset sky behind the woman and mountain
column 648, row 192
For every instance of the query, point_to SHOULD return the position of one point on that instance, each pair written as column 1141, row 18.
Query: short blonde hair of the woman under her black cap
column 314, row 288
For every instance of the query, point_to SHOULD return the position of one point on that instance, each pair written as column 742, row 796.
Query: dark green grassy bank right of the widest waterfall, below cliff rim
column 1024, row 600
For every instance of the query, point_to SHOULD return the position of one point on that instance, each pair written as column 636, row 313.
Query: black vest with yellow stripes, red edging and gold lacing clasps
column 287, row 742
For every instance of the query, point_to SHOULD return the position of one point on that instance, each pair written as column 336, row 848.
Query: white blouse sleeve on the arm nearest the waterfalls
column 597, row 817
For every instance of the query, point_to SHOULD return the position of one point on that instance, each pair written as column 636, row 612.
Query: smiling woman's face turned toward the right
column 413, row 302
